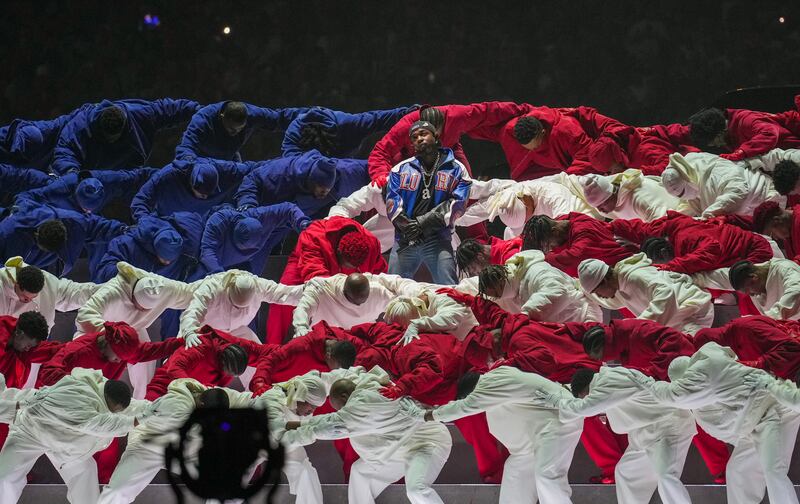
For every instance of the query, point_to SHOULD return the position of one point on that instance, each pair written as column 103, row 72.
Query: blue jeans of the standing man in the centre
column 436, row 253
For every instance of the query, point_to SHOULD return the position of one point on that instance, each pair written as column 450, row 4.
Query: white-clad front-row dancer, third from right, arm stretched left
column 541, row 445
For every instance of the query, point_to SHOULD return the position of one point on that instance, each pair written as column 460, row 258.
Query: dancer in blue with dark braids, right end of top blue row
column 334, row 133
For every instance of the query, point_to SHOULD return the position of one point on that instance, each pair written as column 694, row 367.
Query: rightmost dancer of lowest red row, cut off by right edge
column 760, row 342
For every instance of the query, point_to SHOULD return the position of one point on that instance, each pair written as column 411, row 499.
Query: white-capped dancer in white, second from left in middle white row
column 138, row 298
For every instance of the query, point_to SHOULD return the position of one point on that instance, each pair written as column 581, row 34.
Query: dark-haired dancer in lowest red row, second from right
column 649, row 347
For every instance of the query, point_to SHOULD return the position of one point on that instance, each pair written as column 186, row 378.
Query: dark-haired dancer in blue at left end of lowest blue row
column 53, row 238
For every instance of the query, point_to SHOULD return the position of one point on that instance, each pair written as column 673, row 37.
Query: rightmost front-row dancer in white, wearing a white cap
column 714, row 385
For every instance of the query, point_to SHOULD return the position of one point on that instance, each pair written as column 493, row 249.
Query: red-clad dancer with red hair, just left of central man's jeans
column 325, row 248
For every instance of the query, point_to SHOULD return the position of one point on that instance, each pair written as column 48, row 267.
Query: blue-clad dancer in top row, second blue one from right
column 220, row 130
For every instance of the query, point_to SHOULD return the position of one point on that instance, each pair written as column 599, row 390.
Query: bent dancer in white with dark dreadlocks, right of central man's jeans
column 539, row 290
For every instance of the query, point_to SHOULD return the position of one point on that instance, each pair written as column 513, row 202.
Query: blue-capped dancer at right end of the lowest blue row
column 242, row 240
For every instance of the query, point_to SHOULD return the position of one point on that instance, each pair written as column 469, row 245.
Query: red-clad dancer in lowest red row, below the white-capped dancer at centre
column 428, row 370
